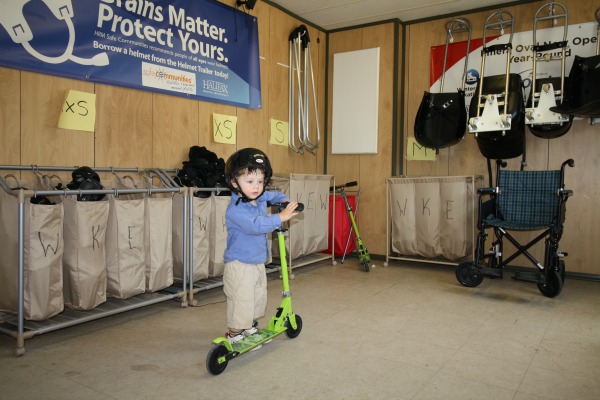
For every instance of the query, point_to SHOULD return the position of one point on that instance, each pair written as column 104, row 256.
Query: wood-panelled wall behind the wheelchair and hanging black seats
column 582, row 142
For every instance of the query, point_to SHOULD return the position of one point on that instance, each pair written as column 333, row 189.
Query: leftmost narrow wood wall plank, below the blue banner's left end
column 10, row 116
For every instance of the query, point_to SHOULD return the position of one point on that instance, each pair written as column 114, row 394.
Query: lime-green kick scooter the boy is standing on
column 283, row 321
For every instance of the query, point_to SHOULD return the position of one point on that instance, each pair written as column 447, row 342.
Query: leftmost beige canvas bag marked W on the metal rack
column 43, row 253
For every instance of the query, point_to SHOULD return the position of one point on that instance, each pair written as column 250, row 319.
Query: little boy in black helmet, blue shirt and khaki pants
column 247, row 173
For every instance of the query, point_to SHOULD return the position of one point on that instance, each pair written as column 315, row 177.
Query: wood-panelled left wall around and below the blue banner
column 136, row 128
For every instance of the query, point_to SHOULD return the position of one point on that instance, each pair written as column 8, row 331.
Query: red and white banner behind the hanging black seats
column 581, row 41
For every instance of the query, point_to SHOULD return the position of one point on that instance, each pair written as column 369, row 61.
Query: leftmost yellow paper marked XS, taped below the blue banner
column 78, row 111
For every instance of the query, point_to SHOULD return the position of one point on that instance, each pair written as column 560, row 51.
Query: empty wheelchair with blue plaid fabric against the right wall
column 521, row 201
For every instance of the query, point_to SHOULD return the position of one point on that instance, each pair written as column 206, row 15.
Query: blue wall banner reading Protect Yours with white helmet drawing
column 199, row 49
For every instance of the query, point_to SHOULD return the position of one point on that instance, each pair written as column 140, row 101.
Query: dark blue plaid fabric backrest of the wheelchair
column 528, row 200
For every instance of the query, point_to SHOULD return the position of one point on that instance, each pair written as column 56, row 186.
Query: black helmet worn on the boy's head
column 250, row 159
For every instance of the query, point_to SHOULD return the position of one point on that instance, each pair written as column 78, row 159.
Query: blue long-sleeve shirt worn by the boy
column 247, row 228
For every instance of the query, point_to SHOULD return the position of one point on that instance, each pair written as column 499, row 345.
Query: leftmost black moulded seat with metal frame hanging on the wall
column 441, row 120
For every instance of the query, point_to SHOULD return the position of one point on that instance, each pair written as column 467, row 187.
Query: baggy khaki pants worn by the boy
column 245, row 286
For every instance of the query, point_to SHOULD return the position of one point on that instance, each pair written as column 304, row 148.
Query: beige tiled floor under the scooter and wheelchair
column 408, row 331
